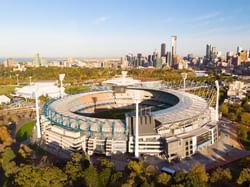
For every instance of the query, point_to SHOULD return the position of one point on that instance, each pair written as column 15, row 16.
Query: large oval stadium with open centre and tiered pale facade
column 172, row 122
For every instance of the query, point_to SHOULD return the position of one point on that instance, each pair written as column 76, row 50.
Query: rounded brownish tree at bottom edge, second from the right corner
column 220, row 176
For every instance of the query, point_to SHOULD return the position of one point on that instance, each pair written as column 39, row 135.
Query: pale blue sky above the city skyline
column 114, row 28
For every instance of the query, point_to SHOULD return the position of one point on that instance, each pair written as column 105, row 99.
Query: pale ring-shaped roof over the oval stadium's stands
column 189, row 106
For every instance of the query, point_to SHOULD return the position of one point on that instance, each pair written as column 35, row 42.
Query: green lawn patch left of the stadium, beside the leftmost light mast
column 25, row 131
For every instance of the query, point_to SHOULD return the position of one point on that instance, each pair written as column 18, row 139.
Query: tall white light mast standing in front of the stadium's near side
column 137, row 100
